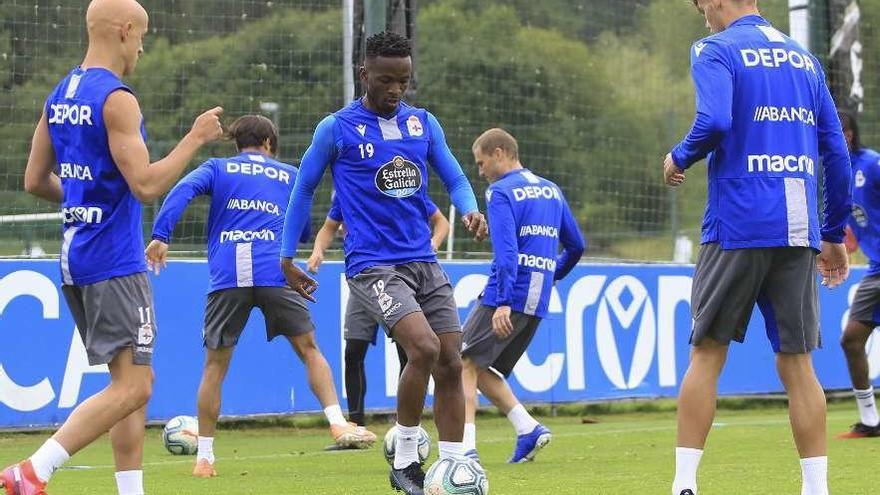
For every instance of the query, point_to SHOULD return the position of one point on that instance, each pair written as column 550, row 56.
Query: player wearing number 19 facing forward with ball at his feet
column 379, row 149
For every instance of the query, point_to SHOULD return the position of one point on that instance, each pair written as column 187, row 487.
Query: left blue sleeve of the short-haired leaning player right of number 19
column 502, row 231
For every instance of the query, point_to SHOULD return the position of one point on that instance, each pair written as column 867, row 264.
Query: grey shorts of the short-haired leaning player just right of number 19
column 486, row 350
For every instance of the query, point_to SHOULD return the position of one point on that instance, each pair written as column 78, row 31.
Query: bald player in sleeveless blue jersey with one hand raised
column 89, row 154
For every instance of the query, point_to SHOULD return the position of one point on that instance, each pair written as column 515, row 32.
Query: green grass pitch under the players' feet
column 749, row 452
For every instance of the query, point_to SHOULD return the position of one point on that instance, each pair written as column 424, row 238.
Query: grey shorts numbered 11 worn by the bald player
column 113, row 315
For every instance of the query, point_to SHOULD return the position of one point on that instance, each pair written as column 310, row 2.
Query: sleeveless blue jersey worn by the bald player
column 102, row 235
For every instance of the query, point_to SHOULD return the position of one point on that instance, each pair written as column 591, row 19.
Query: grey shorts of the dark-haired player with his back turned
column 228, row 311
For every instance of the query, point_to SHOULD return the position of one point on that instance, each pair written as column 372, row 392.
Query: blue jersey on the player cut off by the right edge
column 865, row 218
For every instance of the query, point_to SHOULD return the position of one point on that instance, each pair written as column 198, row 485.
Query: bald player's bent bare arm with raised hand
column 147, row 180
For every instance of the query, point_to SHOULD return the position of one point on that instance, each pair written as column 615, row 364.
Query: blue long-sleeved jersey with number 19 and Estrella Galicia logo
column 380, row 171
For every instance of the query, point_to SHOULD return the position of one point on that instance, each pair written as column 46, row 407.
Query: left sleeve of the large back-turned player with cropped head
column 713, row 81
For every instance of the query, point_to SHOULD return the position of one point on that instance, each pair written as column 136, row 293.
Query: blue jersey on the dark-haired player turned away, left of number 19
column 249, row 194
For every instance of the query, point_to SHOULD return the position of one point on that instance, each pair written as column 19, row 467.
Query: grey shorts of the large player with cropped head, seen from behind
column 782, row 281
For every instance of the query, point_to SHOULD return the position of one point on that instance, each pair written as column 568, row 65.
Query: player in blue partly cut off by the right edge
column 864, row 313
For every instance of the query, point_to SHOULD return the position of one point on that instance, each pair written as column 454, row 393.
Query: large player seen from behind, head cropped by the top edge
column 766, row 120
